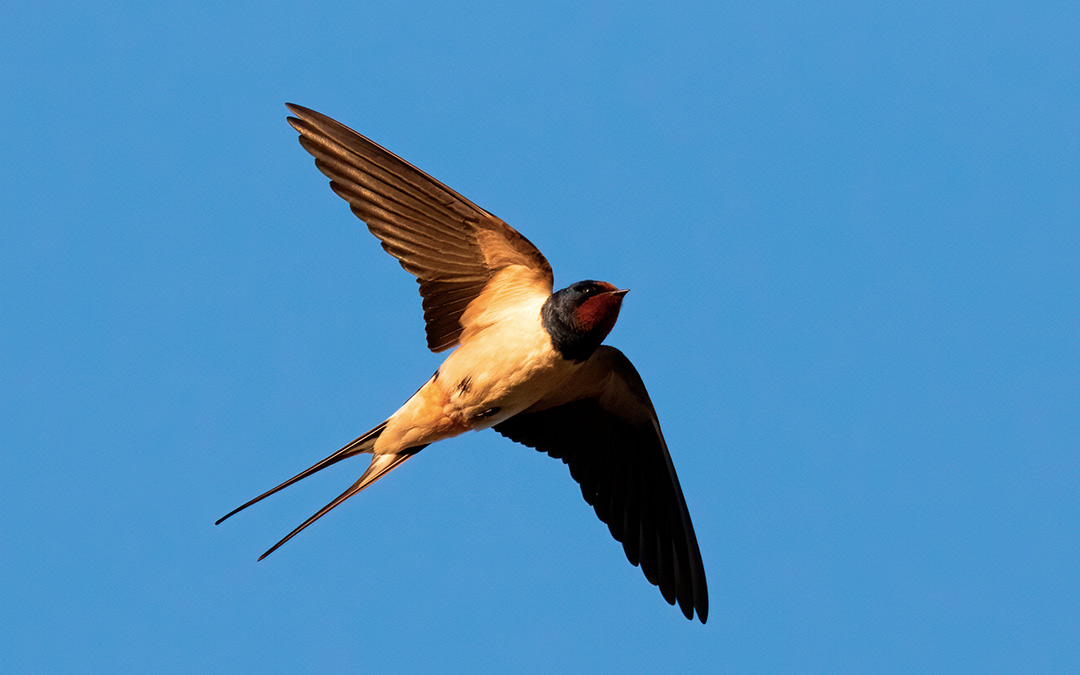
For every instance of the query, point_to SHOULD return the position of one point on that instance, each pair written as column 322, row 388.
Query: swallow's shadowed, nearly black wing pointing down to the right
column 603, row 426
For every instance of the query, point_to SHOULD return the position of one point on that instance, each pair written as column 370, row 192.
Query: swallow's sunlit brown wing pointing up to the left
column 450, row 245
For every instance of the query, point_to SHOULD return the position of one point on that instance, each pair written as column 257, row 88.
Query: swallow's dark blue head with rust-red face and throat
column 579, row 317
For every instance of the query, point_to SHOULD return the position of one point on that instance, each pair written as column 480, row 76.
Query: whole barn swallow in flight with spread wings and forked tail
column 530, row 362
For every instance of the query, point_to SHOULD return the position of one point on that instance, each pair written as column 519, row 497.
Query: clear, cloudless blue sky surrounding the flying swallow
column 852, row 234
